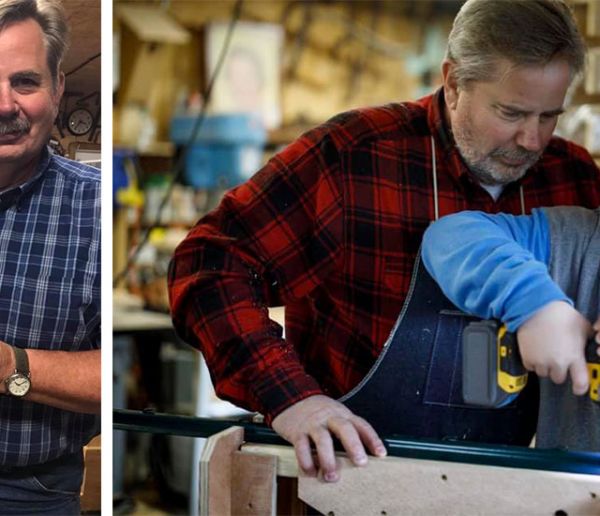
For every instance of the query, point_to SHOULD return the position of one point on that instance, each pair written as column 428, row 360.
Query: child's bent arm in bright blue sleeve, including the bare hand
column 496, row 266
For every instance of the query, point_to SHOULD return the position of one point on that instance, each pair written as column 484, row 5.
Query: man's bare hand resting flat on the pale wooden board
column 313, row 421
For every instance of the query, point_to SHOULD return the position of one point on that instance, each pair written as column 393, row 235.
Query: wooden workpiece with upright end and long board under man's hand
column 243, row 479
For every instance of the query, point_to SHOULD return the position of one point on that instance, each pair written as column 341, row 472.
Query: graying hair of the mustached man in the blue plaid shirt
column 50, row 15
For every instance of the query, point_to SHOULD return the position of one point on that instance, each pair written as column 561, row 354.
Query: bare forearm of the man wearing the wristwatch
column 69, row 380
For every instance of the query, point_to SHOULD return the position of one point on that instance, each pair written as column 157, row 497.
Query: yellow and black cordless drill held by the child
column 493, row 372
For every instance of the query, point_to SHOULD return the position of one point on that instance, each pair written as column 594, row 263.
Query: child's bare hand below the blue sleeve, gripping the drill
column 552, row 343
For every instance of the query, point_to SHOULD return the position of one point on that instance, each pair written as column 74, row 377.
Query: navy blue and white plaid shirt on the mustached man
column 49, row 297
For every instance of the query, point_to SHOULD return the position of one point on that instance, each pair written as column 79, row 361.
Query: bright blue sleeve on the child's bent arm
column 493, row 266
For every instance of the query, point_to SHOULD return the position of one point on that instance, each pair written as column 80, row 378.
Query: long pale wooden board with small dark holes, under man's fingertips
column 396, row 485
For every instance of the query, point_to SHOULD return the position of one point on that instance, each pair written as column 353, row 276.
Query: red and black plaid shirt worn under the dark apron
column 330, row 228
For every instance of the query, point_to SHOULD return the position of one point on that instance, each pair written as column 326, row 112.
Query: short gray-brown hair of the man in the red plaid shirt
column 524, row 32
